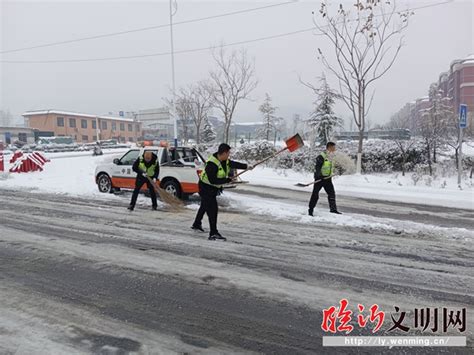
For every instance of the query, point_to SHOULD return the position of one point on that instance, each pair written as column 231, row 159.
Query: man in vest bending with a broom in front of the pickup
column 145, row 166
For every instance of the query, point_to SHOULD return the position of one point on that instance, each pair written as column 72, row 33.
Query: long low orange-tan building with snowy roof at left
column 83, row 127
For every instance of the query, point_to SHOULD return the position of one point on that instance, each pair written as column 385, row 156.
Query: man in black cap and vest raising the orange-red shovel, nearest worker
column 215, row 174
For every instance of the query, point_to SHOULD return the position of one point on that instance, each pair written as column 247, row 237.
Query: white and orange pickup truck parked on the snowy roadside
column 179, row 170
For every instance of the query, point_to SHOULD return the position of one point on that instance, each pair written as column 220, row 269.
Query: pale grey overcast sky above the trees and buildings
column 434, row 38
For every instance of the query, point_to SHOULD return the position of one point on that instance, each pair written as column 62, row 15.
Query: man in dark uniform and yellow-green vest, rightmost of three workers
column 324, row 172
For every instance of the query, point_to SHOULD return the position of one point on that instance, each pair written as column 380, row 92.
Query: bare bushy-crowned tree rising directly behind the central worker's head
column 234, row 80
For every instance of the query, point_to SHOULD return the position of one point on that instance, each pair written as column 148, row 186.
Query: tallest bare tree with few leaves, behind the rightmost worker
column 366, row 38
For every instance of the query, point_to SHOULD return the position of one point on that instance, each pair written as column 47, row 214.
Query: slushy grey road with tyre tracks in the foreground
column 86, row 276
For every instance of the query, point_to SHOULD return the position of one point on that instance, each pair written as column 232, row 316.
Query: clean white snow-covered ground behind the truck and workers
column 73, row 173
